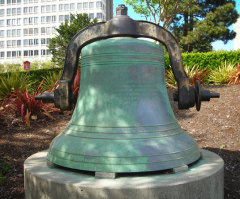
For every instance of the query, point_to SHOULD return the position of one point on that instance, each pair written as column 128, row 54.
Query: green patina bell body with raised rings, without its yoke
column 123, row 121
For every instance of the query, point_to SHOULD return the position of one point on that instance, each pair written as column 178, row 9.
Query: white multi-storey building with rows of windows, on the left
column 27, row 25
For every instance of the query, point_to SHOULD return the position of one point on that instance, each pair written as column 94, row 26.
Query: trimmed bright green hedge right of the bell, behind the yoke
column 209, row 60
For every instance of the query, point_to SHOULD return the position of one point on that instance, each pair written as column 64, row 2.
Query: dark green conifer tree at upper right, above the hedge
column 207, row 22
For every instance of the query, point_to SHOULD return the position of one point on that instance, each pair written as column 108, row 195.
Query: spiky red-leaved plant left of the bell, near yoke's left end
column 25, row 105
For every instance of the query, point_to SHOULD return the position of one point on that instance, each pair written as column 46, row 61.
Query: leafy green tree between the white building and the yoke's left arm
column 58, row 45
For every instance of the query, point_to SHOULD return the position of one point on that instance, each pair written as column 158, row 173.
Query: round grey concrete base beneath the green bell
column 203, row 180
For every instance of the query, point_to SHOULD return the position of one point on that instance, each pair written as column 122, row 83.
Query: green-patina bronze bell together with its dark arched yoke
column 123, row 121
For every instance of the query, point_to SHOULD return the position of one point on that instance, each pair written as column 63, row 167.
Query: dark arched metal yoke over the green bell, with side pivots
column 123, row 26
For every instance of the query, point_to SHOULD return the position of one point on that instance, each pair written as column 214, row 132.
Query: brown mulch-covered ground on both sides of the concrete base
column 216, row 128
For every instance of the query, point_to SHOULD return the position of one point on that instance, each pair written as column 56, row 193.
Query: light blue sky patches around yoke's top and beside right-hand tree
column 218, row 45
